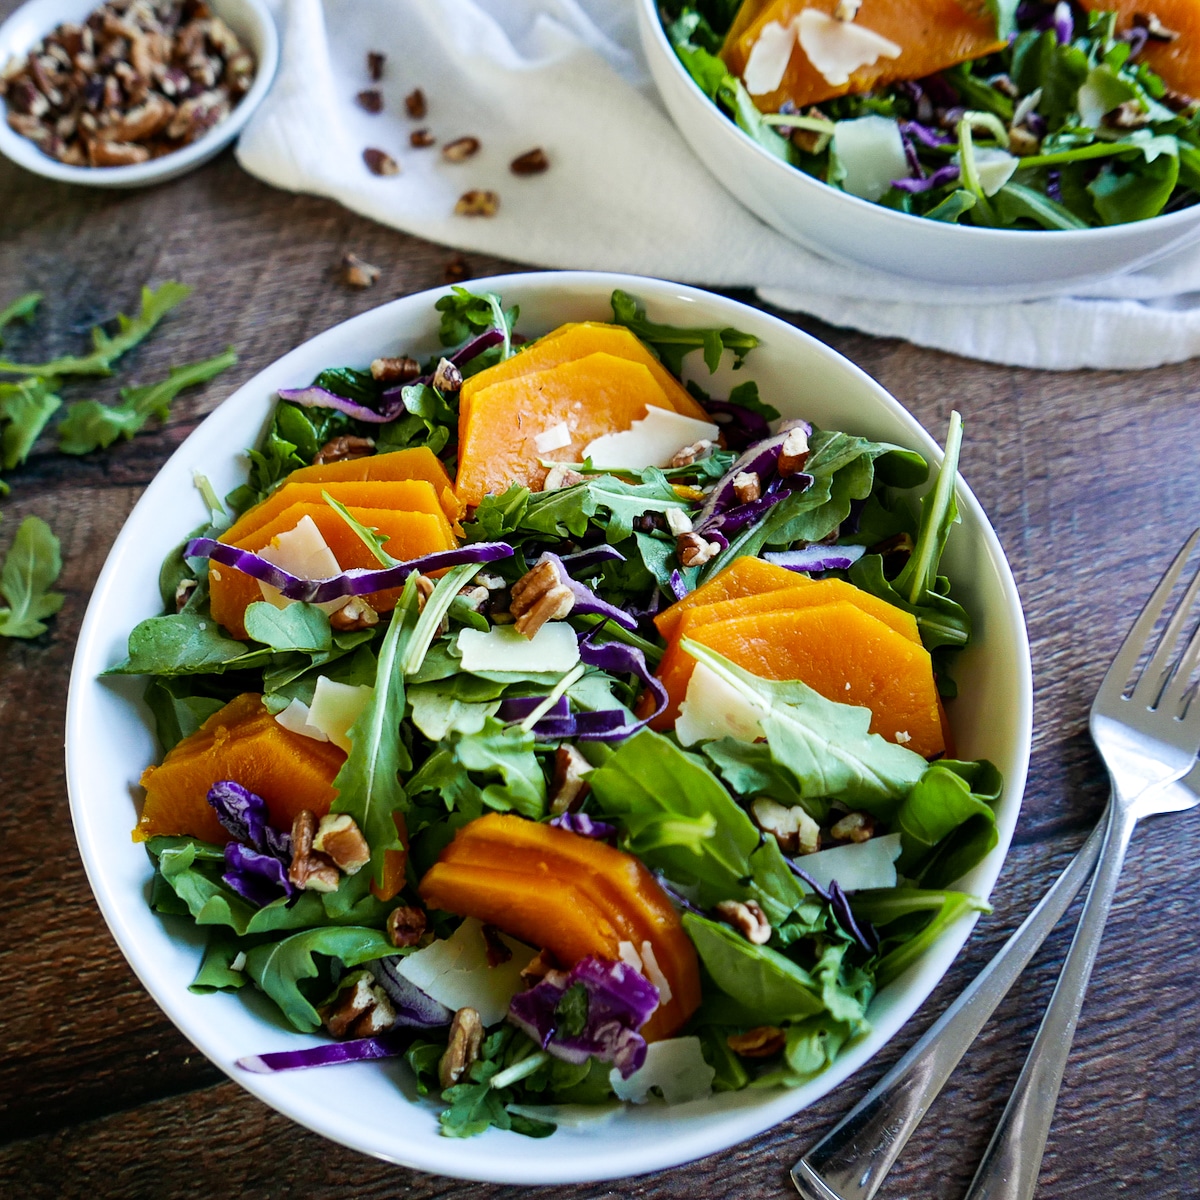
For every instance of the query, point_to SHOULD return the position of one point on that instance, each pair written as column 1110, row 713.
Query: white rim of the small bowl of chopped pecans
column 26, row 154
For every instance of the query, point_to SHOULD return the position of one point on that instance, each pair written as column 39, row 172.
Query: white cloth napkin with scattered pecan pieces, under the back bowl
column 625, row 193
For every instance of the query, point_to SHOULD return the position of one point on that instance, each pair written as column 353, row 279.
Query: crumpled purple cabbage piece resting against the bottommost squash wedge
column 620, row 1003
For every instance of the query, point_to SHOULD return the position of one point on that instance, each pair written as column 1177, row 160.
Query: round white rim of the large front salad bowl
column 448, row 1156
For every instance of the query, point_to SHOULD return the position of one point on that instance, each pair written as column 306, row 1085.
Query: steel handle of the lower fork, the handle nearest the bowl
column 853, row 1160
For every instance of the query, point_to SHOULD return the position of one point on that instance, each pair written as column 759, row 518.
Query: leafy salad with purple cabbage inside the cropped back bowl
column 1067, row 128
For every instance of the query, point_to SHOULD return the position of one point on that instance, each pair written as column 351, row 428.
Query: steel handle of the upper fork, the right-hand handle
column 1011, row 1165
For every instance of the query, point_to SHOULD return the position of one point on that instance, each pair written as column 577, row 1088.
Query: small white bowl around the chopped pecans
column 250, row 20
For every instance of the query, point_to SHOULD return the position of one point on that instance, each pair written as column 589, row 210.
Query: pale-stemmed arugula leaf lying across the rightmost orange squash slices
column 827, row 747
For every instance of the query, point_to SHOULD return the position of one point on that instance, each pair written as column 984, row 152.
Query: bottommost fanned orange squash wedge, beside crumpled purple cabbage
column 571, row 896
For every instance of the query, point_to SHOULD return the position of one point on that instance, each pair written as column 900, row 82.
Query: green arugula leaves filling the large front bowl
column 431, row 747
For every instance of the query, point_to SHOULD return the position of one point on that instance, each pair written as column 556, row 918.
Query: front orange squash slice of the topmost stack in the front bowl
column 591, row 397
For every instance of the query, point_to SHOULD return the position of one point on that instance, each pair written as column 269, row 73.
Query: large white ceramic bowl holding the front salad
column 373, row 1107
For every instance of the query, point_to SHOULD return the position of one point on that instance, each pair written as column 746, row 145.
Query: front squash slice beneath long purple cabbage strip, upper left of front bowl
column 410, row 536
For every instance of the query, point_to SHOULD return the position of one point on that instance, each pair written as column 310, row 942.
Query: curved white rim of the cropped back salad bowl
column 1187, row 219
